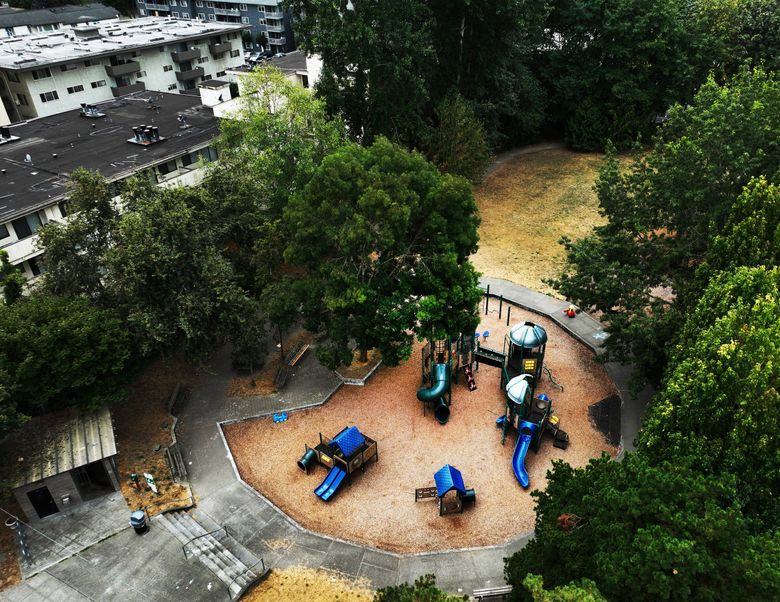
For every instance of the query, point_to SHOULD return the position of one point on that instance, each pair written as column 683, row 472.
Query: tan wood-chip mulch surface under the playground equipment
column 378, row 509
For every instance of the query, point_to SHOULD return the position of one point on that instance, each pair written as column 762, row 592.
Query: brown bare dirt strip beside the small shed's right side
column 140, row 426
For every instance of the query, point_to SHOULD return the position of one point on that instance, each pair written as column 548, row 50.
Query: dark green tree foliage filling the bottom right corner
column 646, row 533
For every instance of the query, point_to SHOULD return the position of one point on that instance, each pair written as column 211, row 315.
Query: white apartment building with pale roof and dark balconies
column 46, row 74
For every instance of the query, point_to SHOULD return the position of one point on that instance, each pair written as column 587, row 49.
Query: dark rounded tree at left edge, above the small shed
column 58, row 352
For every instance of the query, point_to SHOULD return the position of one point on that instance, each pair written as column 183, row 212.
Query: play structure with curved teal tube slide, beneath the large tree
column 442, row 361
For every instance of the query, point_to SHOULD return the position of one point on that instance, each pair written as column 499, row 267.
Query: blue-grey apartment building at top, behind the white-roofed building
column 264, row 17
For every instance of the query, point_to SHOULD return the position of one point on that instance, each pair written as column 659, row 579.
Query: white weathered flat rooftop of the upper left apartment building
column 35, row 50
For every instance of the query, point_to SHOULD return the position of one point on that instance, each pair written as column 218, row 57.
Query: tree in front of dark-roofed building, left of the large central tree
column 166, row 275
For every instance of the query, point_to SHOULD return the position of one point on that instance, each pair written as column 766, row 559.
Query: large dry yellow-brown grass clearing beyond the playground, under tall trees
column 526, row 205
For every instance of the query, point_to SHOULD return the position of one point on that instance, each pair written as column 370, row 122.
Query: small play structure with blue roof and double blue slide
column 347, row 452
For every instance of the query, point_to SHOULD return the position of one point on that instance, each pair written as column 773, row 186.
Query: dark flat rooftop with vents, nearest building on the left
column 61, row 143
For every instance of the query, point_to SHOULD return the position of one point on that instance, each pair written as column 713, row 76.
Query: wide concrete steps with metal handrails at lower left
column 211, row 551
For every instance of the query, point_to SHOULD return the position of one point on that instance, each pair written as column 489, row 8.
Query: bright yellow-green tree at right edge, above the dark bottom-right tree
column 720, row 407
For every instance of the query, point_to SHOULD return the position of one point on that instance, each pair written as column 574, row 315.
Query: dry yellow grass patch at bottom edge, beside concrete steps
column 297, row 583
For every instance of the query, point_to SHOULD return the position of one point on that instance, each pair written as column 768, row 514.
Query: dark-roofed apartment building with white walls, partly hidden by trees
column 164, row 137
